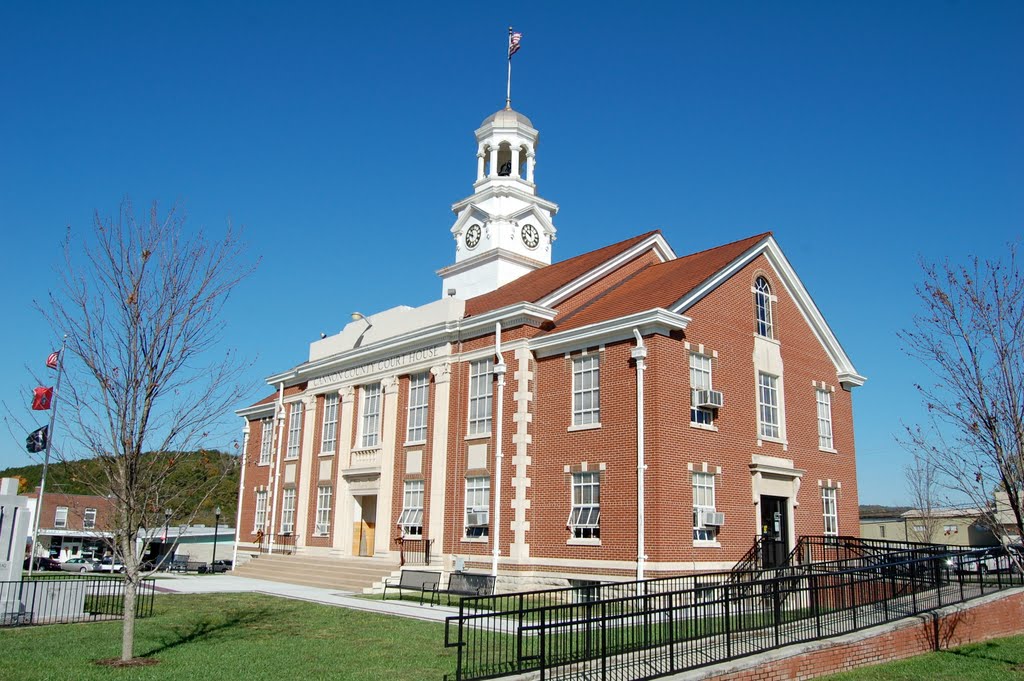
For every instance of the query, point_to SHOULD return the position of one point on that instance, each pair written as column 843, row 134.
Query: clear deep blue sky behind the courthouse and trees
column 866, row 136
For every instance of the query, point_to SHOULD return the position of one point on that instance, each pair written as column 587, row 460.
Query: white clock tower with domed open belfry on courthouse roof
column 504, row 230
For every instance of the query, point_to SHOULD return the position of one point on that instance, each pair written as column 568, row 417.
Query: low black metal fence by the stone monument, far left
column 60, row 600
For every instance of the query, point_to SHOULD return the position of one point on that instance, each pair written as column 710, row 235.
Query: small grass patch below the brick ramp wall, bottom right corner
column 999, row 660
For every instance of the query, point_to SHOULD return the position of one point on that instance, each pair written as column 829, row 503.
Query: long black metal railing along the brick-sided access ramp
column 645, row 630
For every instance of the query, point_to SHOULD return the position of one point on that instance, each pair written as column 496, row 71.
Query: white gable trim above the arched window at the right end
column 770, row 247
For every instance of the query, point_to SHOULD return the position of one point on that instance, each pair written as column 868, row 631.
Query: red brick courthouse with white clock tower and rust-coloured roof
column 625, row 413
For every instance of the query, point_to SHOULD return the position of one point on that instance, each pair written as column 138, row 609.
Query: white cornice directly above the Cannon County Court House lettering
column 435, row 335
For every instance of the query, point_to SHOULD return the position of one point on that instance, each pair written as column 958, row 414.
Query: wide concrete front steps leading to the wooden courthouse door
column 354, row 575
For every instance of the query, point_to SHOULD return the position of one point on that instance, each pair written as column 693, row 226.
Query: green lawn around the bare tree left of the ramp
column 231, row 636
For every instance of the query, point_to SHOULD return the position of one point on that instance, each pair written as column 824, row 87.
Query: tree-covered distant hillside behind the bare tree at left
column 191, row 469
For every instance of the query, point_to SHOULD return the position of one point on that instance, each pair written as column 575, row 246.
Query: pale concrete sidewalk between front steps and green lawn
column 210, row 584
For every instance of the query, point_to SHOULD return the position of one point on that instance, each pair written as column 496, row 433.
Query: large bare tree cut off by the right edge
column 970, row 335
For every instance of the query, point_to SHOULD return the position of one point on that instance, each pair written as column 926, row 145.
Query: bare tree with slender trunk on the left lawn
column 141, row 303
